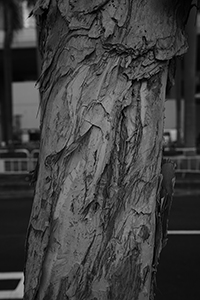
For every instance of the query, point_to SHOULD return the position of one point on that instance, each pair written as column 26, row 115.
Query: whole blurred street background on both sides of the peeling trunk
column 178, row 272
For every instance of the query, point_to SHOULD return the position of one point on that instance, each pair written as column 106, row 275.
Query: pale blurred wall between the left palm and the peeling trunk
column 26, row 104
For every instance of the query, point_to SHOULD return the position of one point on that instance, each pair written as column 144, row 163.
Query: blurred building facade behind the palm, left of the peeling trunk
column 25, row 94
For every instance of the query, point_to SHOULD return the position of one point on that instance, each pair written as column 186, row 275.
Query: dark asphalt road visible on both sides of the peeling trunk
column 178, row 275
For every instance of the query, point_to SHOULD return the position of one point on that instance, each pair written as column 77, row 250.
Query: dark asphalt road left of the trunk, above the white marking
column 14, row 218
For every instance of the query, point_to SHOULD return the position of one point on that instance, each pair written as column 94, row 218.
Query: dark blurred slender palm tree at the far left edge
column 12, row 20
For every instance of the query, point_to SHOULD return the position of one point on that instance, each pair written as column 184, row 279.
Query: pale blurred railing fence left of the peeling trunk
column 19, row 161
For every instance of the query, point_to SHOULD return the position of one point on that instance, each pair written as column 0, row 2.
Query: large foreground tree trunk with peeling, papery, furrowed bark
column 94, row 227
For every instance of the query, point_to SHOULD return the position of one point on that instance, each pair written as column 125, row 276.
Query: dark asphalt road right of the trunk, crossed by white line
column 178, row 275
